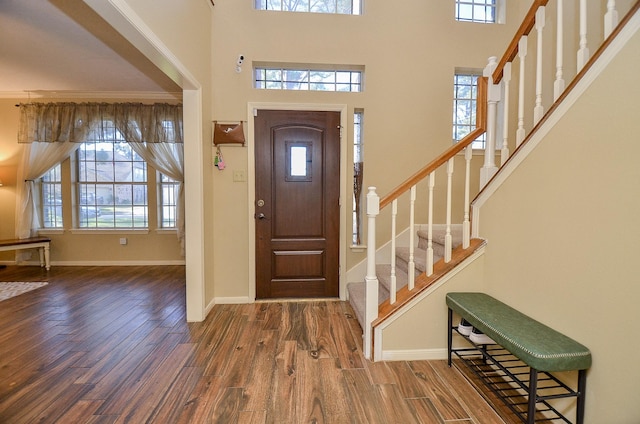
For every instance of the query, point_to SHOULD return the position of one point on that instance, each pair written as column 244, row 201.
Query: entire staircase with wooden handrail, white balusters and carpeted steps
column 388, row 287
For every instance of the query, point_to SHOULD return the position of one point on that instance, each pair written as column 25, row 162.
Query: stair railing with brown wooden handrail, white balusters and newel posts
column 494, row 95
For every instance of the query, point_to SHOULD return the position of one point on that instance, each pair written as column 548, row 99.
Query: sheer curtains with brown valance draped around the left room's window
column 53, row 131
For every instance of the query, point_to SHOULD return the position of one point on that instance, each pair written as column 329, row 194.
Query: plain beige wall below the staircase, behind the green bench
column 562, row 239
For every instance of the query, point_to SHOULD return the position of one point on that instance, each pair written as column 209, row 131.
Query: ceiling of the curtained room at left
column 58, row 46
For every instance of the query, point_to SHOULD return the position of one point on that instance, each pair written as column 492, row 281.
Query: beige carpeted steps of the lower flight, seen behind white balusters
column 356, row 290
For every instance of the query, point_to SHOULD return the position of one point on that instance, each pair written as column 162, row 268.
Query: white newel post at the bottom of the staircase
column 371, row 279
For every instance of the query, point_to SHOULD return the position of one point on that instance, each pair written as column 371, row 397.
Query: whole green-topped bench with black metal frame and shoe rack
column 523, row 359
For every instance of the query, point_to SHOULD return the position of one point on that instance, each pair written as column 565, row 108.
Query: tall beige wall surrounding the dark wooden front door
column 409, row 54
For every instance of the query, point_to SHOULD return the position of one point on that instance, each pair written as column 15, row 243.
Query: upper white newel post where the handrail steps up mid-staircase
column 493, row 97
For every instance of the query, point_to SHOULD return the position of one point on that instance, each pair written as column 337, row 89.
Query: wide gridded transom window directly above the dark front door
column 273, row 78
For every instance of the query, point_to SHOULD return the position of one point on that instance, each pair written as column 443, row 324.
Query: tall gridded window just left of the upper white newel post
column 465, row 93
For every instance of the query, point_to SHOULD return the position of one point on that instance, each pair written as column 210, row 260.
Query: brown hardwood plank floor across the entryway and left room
column 111, row 345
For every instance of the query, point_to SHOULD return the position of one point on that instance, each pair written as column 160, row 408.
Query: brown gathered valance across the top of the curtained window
column 71, row 122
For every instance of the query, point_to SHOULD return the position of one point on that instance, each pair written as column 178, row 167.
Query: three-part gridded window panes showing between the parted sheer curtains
column 111, row 187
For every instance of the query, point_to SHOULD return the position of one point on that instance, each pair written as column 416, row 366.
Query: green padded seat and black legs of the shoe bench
column 540, row 347
